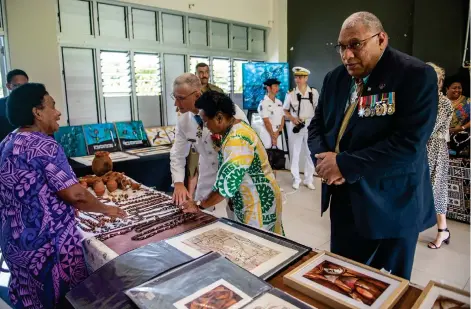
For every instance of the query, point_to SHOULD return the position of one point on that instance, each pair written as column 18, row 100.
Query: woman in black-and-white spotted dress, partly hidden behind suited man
column 437, row 150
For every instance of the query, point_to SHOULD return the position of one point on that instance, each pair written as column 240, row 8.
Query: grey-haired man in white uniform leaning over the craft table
column 190, row 133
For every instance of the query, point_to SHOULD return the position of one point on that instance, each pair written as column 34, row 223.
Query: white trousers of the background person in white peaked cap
column 299, row 146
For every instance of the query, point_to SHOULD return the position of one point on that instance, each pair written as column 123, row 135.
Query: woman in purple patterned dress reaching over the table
column 38, row 194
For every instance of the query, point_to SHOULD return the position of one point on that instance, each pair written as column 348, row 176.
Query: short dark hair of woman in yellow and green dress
column 213, row 102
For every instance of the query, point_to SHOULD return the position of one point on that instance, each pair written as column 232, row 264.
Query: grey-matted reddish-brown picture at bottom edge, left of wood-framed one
column 210, row 281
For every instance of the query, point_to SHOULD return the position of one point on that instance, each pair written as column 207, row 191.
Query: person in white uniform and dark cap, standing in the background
column 271, row 111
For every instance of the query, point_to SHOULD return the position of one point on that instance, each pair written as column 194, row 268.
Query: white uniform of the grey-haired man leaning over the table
column 186, row 129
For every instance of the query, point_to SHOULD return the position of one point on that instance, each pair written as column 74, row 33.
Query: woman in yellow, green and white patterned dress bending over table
column 244, row 174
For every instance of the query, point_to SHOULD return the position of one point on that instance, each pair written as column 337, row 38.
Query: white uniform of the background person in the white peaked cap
column 298, row 141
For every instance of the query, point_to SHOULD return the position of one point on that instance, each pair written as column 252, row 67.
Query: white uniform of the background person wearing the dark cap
column 274, row 111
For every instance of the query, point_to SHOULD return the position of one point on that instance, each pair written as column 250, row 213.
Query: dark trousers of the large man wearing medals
column 395, row 255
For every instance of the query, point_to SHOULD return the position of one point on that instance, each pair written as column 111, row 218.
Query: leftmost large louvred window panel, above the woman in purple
column 80, row 85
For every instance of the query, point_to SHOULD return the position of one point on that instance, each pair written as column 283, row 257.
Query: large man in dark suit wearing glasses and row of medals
column 368, row 139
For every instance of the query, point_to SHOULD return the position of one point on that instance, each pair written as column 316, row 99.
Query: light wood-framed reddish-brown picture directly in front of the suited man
column 343, row 283
